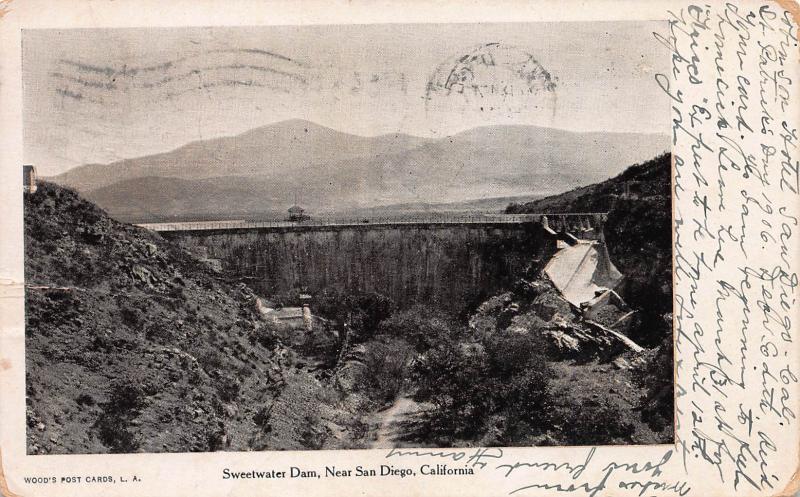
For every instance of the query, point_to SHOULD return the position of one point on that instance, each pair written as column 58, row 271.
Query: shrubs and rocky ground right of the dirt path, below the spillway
column 523, row 371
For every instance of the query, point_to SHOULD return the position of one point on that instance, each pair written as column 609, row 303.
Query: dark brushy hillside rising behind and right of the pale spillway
column 638, row 230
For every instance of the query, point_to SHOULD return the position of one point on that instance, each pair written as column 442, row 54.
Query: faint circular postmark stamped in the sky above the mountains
column 492, row 82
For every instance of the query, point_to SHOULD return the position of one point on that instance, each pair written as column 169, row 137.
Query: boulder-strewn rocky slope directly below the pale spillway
column 588, row 366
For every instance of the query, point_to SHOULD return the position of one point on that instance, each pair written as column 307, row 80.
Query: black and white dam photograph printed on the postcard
column 360, row 236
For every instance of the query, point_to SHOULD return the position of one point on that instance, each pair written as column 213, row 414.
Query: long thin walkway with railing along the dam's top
column 370, row 221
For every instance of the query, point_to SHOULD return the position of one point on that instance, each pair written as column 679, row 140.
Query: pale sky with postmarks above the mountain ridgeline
column 100, row 95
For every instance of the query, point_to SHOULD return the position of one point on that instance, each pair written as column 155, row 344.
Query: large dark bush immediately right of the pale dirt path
column 496, row 390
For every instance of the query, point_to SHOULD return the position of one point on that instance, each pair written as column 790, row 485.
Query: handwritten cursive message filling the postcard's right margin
column 733, row 93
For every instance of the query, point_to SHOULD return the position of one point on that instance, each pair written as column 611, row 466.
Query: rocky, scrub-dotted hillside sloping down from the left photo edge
column 134, row 345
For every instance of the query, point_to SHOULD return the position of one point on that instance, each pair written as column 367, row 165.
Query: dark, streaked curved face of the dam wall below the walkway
column 447, row 264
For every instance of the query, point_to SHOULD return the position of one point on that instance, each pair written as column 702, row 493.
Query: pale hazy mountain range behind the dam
column 262, row 171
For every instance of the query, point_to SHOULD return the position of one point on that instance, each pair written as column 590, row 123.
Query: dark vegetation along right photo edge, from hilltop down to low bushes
column 638, row 235
